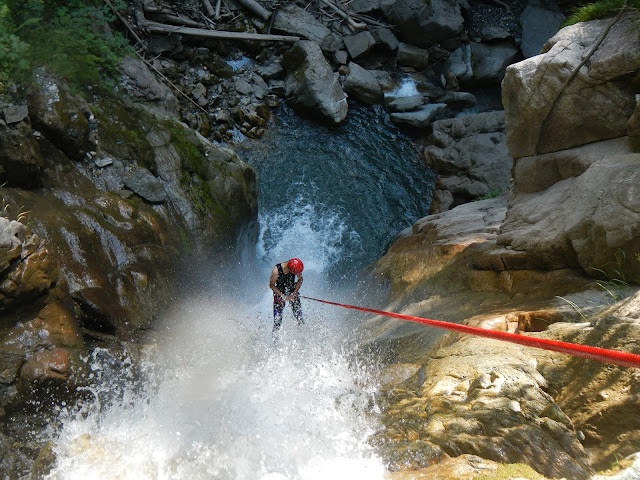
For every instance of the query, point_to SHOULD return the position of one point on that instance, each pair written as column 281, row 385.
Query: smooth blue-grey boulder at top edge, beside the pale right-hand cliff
column 539, row 23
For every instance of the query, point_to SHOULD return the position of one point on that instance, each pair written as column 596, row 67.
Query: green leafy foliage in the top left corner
column 71, row 38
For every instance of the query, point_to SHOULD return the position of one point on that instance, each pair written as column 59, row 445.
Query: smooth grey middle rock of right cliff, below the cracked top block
column 564, row 224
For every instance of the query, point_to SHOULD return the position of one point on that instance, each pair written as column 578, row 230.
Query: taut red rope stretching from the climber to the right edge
column 623, row 359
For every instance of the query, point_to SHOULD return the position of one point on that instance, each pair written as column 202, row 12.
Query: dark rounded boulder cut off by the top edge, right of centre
column 425, row 23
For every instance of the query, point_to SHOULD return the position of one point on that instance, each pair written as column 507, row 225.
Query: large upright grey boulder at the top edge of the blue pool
column 311, row 85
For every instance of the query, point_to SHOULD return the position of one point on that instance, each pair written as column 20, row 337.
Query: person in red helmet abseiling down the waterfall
column 285, row 288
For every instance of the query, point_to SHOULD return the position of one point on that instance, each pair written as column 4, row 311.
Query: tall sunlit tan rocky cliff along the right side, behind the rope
column 551, row 259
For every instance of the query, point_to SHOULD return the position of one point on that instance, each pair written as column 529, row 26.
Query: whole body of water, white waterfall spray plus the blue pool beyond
column 221, row 398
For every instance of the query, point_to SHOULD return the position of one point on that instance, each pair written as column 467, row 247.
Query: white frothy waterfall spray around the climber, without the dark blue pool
column 224, row 400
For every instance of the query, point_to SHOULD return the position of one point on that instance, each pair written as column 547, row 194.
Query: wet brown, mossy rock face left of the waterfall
column 120, row 198
